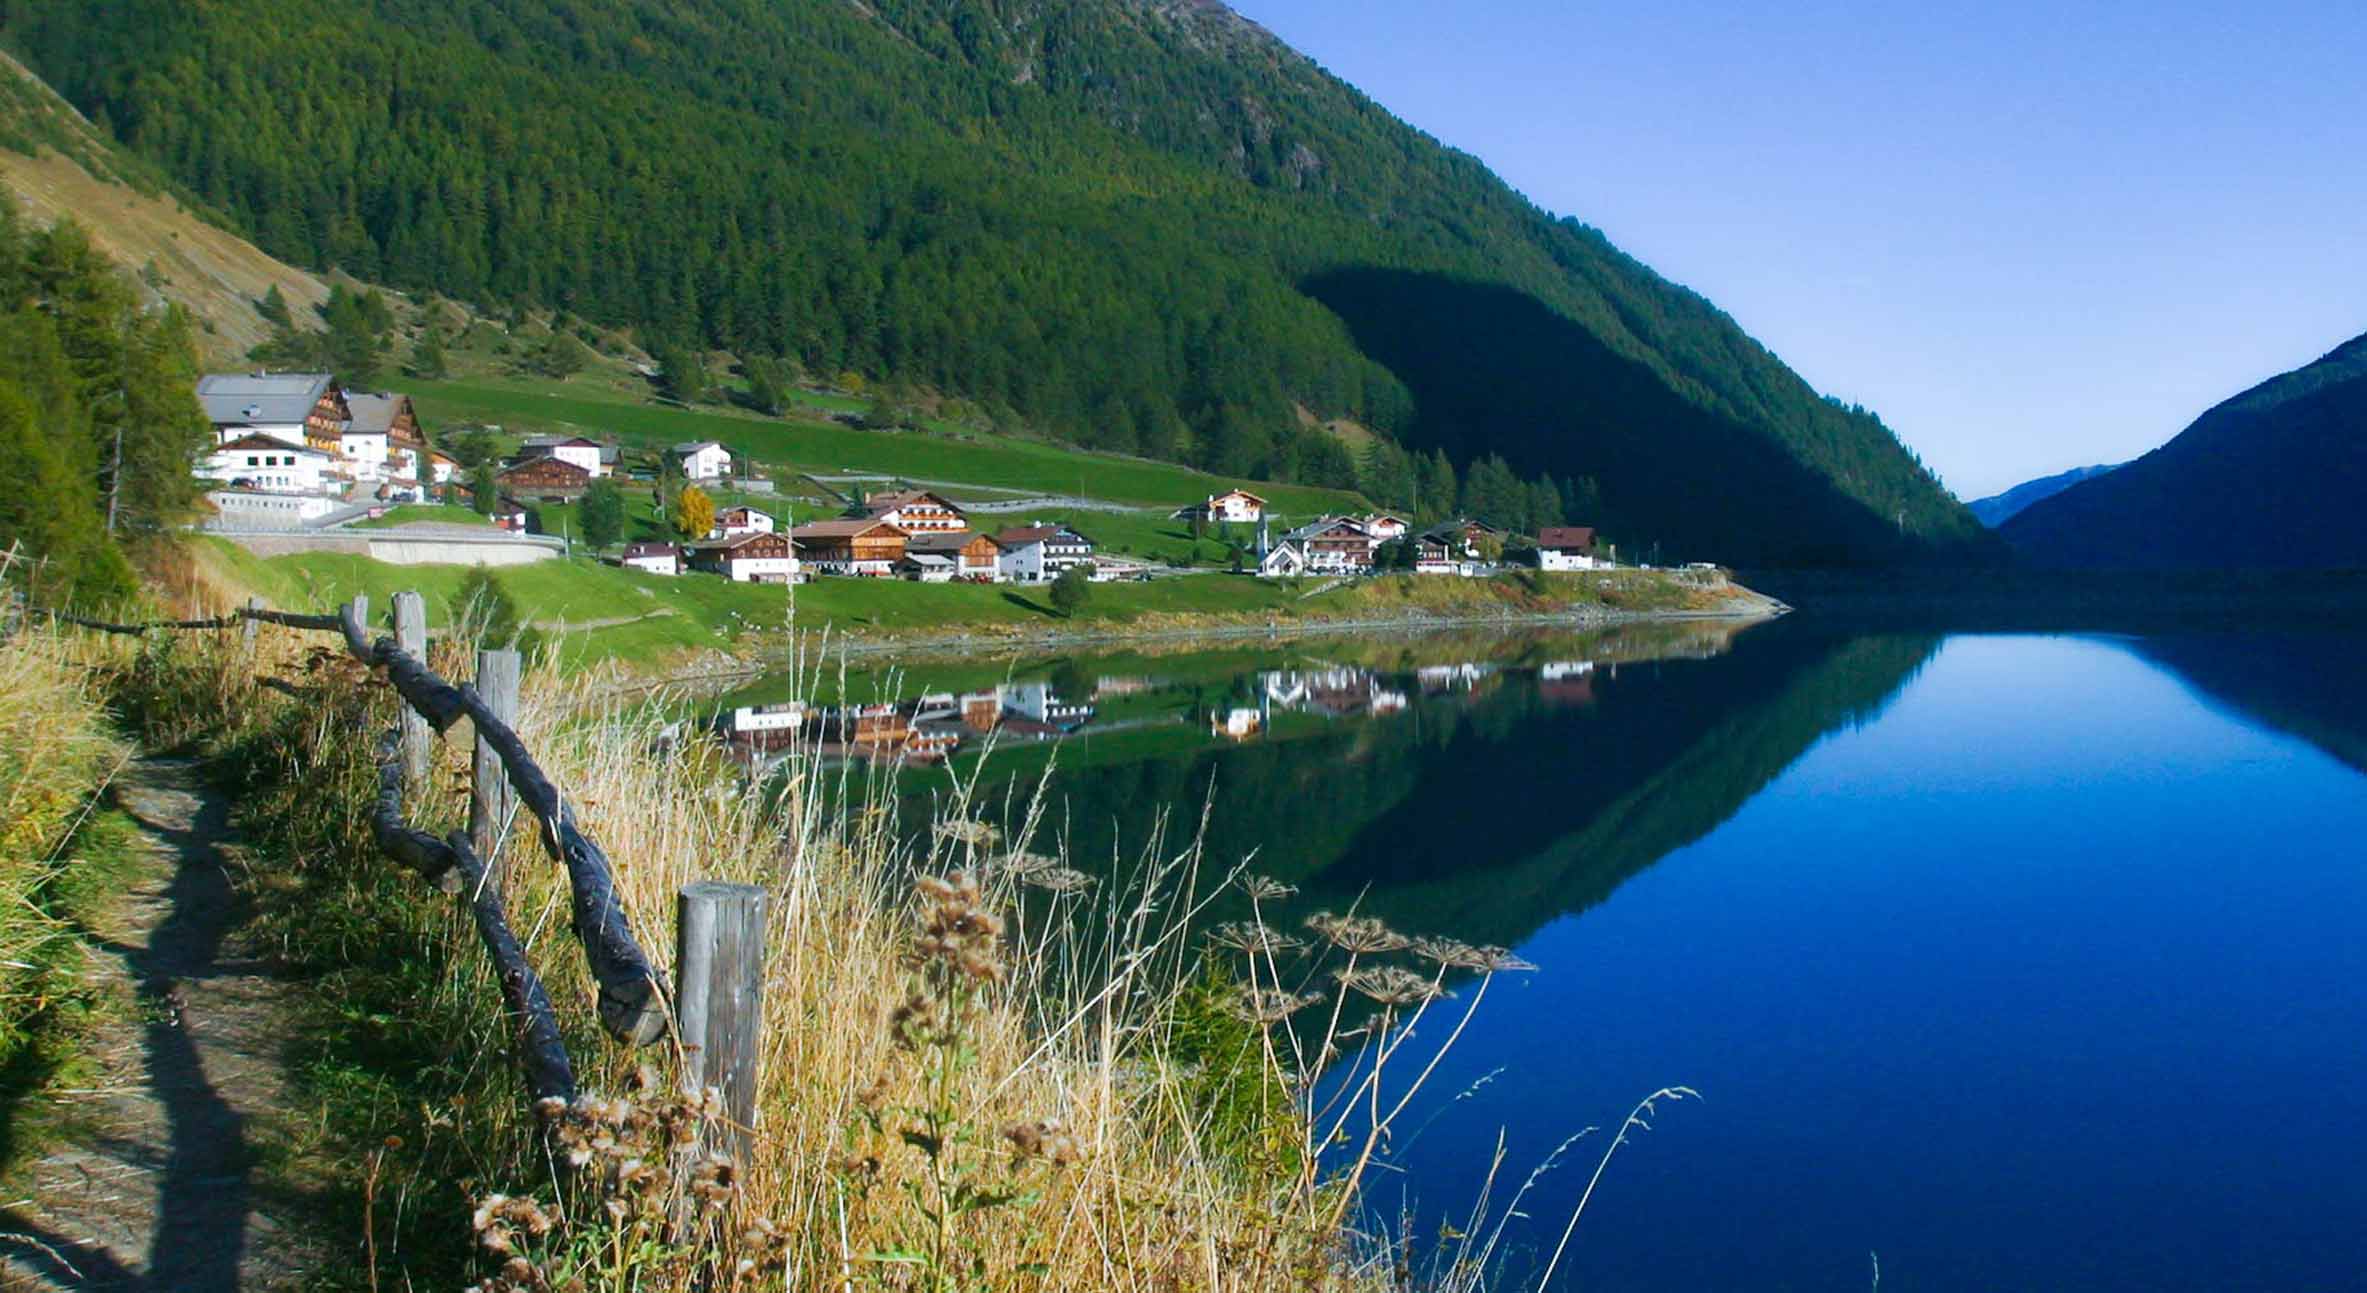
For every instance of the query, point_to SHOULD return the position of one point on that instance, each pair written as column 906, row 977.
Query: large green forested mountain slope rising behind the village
column 1142, row 224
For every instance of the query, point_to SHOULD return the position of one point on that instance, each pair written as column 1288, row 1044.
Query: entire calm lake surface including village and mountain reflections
column 2011, row 963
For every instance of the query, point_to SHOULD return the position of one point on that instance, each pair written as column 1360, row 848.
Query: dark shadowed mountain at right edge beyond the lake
column 2269, row 480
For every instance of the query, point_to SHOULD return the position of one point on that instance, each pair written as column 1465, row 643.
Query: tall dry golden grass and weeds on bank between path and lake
column 986, row 1064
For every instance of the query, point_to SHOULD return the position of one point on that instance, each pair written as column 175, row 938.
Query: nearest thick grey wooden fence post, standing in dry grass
column 721, row 1005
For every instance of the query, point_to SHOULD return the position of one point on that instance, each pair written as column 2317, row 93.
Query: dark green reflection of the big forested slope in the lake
column 1478, row 799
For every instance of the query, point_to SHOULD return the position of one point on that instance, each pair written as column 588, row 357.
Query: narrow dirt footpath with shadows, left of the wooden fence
column 155, row 1188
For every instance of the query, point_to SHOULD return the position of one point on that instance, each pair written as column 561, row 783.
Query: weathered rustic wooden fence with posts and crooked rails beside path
column 721, row 927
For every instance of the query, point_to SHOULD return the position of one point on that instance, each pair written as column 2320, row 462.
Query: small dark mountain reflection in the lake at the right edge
column 2302, row 683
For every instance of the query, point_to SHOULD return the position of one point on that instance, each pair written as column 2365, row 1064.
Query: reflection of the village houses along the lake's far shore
column 939, row 726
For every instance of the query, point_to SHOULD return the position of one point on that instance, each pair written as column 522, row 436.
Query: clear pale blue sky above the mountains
column 2030, row 236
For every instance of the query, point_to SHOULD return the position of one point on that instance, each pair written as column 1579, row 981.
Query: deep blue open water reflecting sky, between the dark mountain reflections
column 2053, row 974
